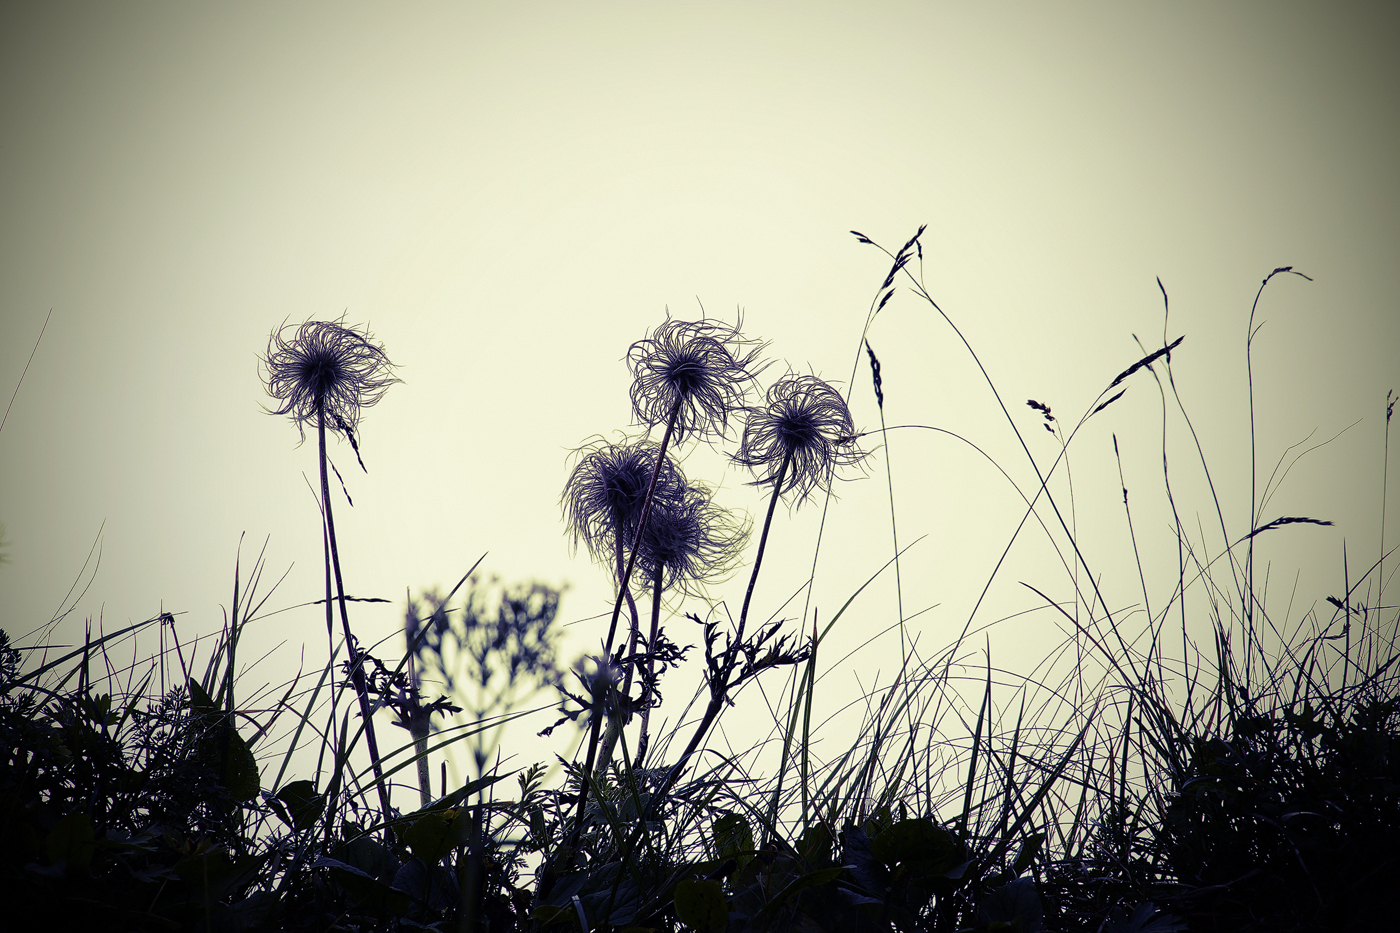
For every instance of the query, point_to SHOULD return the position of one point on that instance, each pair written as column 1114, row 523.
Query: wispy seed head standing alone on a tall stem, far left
column 325, row 364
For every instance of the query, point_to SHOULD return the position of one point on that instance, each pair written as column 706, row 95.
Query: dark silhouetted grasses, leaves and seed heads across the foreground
column 1212, row 768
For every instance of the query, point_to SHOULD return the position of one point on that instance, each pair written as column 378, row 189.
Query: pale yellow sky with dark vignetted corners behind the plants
column 512, row 194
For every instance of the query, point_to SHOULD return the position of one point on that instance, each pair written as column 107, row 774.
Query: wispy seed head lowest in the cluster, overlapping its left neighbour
column 691, row 541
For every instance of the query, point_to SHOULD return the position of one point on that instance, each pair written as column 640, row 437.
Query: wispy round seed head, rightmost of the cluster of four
column 807, row 420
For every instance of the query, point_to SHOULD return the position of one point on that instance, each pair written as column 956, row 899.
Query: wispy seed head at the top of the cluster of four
column 705, row 365
